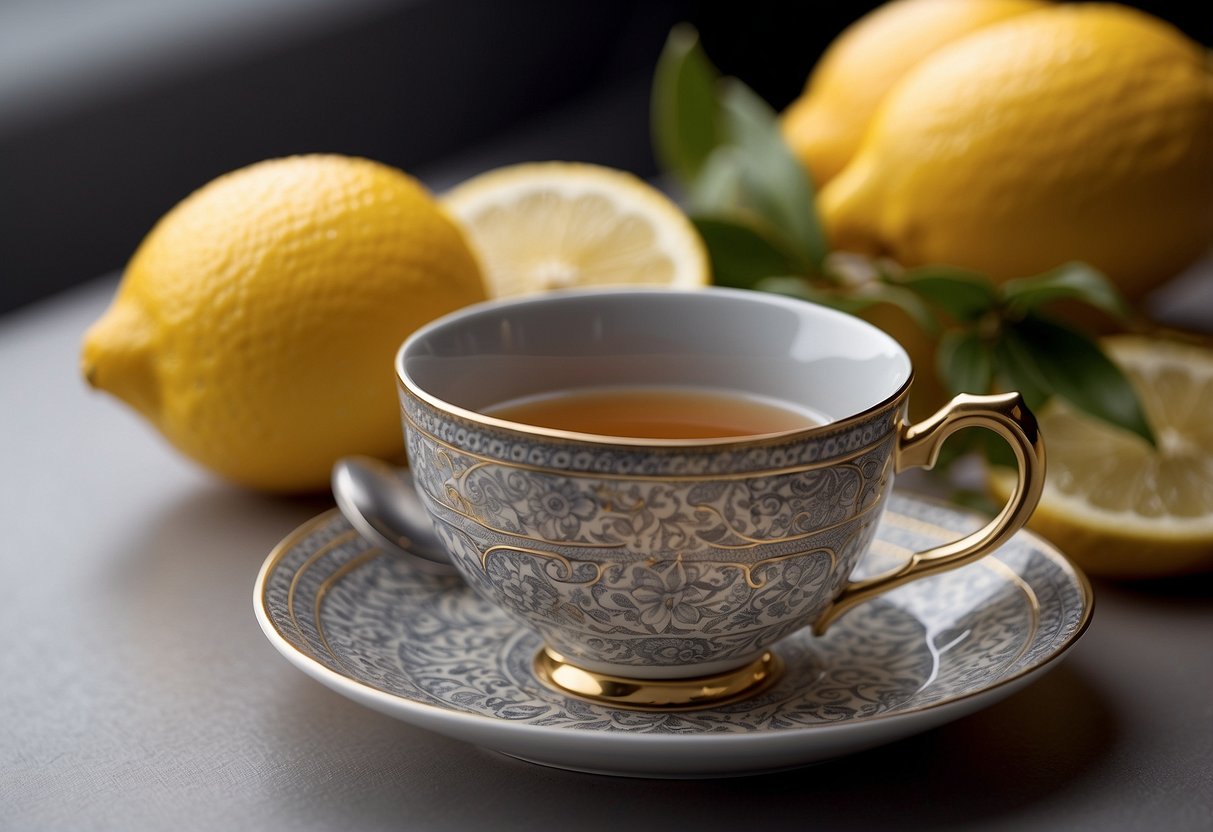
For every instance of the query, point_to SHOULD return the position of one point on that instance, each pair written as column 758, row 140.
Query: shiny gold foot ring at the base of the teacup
column 702, row 692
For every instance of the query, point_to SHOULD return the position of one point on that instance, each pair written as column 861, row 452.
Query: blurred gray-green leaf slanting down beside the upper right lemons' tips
column 775, row 183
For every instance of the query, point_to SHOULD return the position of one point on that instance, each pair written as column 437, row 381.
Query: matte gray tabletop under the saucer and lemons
column 138, row 692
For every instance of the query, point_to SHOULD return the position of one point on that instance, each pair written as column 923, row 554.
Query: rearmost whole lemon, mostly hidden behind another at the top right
column 825, row 126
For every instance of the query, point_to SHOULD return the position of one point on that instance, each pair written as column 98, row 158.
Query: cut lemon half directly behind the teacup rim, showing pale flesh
column 544, row 226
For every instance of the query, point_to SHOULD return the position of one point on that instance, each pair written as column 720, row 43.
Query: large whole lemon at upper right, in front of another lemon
column 1074, row 133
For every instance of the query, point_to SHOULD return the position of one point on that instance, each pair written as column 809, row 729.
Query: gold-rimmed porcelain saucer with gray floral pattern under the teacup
column 428, row 651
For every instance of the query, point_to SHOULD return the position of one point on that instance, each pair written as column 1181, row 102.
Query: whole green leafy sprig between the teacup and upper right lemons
column 755, row 207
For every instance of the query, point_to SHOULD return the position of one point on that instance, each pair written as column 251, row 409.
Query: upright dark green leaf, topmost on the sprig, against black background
column 684, row 107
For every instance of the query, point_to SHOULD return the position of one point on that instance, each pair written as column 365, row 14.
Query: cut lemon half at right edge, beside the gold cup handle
column 1118, row 506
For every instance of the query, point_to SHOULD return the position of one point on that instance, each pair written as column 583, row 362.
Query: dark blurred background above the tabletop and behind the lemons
column 112, row 111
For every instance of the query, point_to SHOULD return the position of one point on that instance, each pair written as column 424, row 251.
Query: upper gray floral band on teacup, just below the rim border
column 579, row 509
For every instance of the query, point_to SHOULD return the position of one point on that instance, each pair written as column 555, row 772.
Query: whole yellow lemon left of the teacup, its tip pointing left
column 258, row 322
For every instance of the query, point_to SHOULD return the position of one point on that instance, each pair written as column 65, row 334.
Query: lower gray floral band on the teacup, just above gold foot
column 591, row 605
